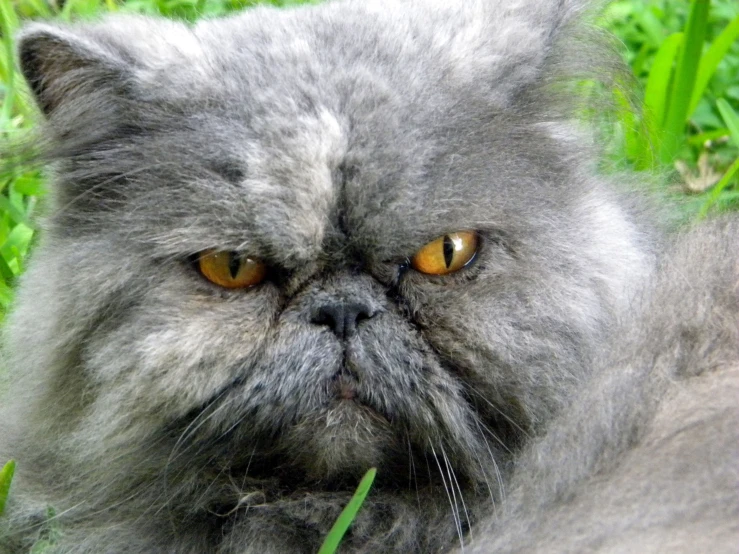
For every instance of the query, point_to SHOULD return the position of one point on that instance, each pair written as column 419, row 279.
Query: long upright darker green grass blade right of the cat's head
column 683, row 83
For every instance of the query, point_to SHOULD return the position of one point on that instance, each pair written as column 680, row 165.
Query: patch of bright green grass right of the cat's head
column 685, row 56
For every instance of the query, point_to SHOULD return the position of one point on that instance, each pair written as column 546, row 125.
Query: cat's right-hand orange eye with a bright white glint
column 446, row 254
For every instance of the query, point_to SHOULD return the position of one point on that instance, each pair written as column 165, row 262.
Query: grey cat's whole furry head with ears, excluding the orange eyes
column 330, row 145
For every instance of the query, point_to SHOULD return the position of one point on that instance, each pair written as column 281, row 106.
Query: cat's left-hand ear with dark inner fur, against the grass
column 93, row 64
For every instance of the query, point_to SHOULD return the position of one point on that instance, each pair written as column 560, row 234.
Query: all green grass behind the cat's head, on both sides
column 684, row 55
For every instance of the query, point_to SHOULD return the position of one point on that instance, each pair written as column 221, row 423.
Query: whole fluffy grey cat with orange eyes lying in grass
column 288, row 246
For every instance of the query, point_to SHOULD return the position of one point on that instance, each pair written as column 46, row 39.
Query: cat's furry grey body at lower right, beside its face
column 647, row 460
